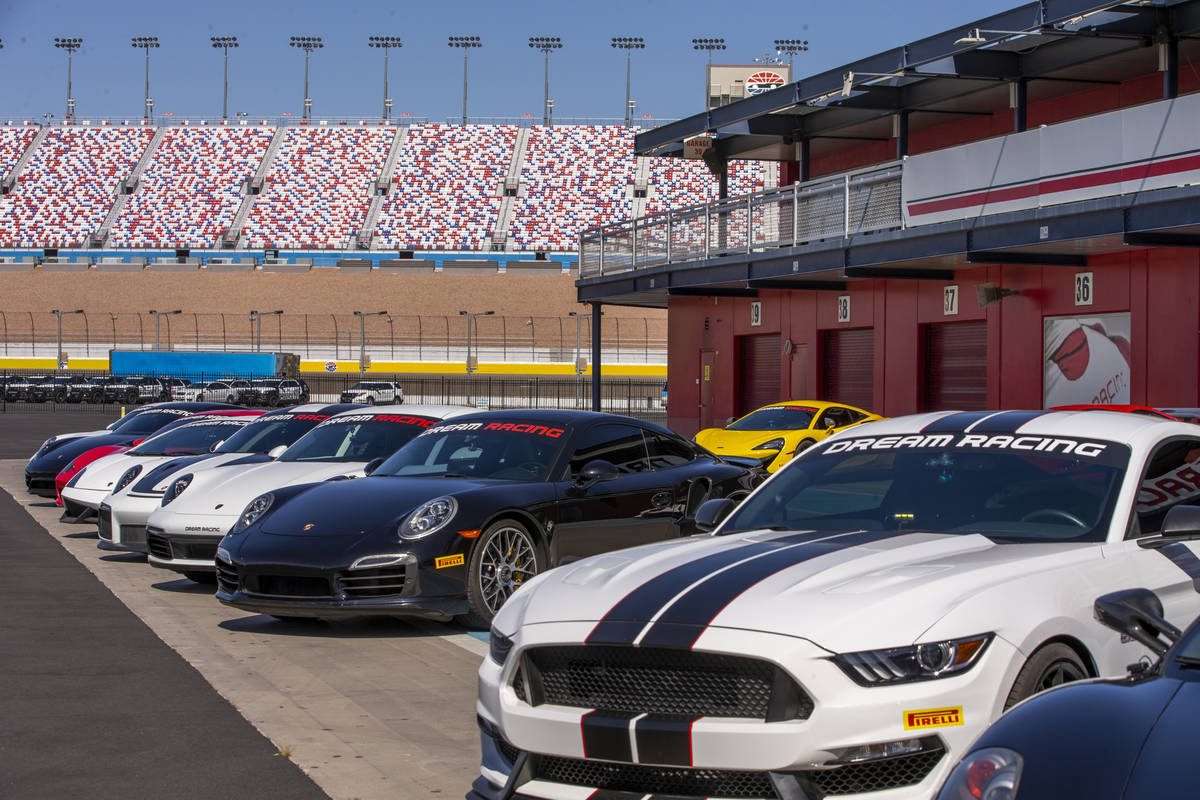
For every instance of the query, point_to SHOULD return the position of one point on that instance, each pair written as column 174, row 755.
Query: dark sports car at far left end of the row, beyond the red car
column 58, row 452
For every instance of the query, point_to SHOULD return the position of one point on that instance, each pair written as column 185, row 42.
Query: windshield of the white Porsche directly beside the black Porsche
column 358, row 437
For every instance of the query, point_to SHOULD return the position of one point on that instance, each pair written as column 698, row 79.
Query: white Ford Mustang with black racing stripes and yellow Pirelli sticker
column 854, row 624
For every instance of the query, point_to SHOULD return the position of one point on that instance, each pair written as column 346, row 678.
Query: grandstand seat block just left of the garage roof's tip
column 578, row 177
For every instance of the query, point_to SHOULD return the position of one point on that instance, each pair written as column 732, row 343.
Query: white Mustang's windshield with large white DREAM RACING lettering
column 1010, row 489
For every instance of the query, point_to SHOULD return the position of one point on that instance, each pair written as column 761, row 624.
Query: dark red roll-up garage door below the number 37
column 957, row 366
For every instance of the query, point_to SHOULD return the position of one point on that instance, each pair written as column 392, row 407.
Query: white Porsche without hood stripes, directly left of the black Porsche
column 199, row 510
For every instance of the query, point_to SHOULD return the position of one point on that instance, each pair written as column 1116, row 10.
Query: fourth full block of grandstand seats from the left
column 446, row 184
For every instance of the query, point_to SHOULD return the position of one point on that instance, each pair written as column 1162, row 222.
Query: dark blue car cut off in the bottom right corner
column 1125, row 738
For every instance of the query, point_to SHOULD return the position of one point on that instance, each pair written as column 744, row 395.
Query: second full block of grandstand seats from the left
column 191, row 189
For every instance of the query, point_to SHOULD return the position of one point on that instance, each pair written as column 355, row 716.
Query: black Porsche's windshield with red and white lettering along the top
column 500, row 450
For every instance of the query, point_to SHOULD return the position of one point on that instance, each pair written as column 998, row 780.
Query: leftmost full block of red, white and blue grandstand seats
column 70, row 184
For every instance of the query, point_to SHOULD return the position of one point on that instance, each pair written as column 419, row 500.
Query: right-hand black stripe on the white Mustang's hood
column 686, row 619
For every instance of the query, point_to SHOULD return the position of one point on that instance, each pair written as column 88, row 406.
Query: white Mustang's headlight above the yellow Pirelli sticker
column 917, row 663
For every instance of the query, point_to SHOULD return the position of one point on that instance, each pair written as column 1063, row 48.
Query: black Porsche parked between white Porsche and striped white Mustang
column 458, row 520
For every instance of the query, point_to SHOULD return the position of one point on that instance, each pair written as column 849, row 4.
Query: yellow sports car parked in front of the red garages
column 776, row 434
